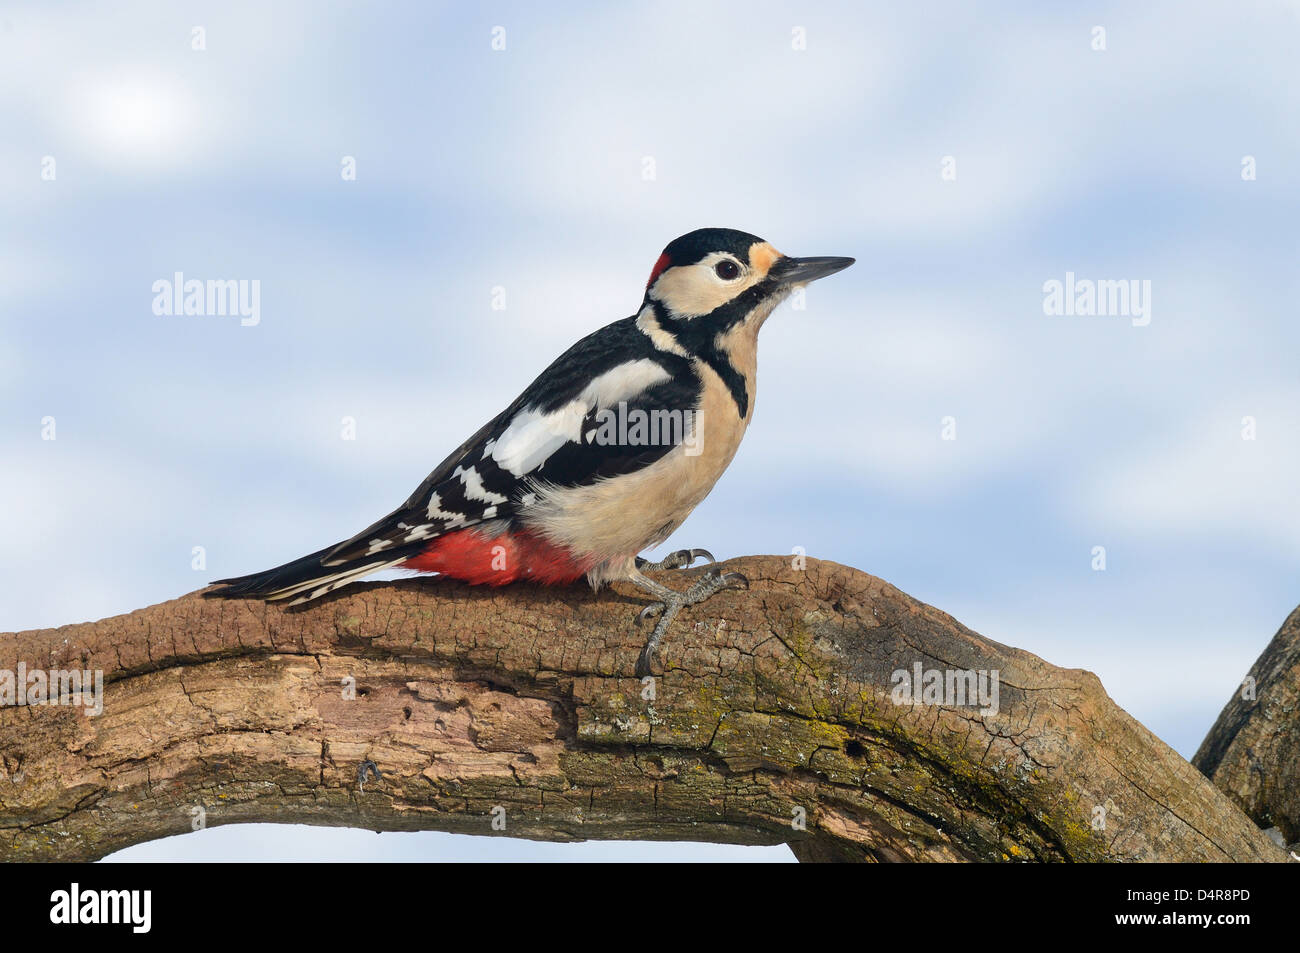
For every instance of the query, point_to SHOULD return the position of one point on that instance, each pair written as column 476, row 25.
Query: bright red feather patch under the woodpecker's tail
column 479, row 560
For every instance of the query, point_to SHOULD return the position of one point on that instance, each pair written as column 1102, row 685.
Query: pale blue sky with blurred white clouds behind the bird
column 523, row 168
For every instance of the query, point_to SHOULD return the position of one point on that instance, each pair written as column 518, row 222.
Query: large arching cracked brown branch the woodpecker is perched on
column 518, row 705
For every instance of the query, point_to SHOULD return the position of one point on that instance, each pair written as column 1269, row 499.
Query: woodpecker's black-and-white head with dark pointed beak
column 716, row 279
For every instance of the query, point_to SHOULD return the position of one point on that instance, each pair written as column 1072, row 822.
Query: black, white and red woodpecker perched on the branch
column 601, row 458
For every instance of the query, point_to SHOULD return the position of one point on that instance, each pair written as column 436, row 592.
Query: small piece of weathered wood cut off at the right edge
column 1253, row 753
